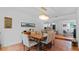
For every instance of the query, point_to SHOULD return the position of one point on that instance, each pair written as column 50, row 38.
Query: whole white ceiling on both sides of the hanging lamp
column 51, row 11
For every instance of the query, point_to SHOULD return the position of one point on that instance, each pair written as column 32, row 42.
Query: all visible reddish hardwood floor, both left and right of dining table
column 59, row 45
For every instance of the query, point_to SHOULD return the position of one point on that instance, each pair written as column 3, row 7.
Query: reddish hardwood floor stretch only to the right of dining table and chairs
column 63, row 45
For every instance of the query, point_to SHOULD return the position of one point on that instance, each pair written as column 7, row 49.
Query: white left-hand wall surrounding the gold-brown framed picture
column 10, row 36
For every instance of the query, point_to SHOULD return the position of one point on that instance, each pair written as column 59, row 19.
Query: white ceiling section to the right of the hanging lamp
column 61, row 11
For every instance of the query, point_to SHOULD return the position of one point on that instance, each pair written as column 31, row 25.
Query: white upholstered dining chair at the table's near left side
column 27, row 43
